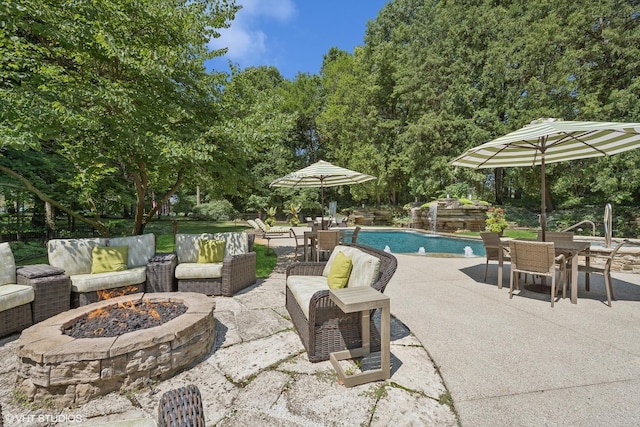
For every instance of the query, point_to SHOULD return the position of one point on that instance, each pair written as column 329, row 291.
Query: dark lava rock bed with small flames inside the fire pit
column 120, row 319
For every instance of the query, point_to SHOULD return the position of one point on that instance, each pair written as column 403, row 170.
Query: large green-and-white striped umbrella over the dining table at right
column 550, row 141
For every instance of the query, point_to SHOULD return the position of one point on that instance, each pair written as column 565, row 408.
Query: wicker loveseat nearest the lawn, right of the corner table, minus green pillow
column 237, row 270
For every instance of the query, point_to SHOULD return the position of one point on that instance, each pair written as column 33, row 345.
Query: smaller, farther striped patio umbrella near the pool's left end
column 321, row 174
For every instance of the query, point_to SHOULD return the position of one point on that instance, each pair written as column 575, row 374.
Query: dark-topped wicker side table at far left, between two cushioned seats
column 51, row 286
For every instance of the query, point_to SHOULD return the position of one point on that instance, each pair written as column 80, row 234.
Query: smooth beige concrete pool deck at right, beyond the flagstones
column 519, row 362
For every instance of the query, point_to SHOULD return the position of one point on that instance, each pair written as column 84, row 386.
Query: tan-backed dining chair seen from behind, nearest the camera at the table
column 537, row 258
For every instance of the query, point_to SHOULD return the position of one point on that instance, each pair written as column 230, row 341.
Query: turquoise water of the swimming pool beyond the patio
column 407, row 241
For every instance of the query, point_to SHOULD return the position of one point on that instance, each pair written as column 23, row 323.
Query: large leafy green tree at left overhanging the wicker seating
column 112, row 87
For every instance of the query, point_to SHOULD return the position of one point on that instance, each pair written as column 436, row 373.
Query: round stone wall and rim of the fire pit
column 70, row 371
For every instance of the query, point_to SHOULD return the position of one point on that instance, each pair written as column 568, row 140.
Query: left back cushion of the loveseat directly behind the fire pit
column 73, row 255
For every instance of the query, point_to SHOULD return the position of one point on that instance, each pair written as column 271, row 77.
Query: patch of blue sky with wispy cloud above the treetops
column 293, row 35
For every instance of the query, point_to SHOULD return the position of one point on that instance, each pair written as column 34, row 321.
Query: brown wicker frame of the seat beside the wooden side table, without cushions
column 328, row 329
